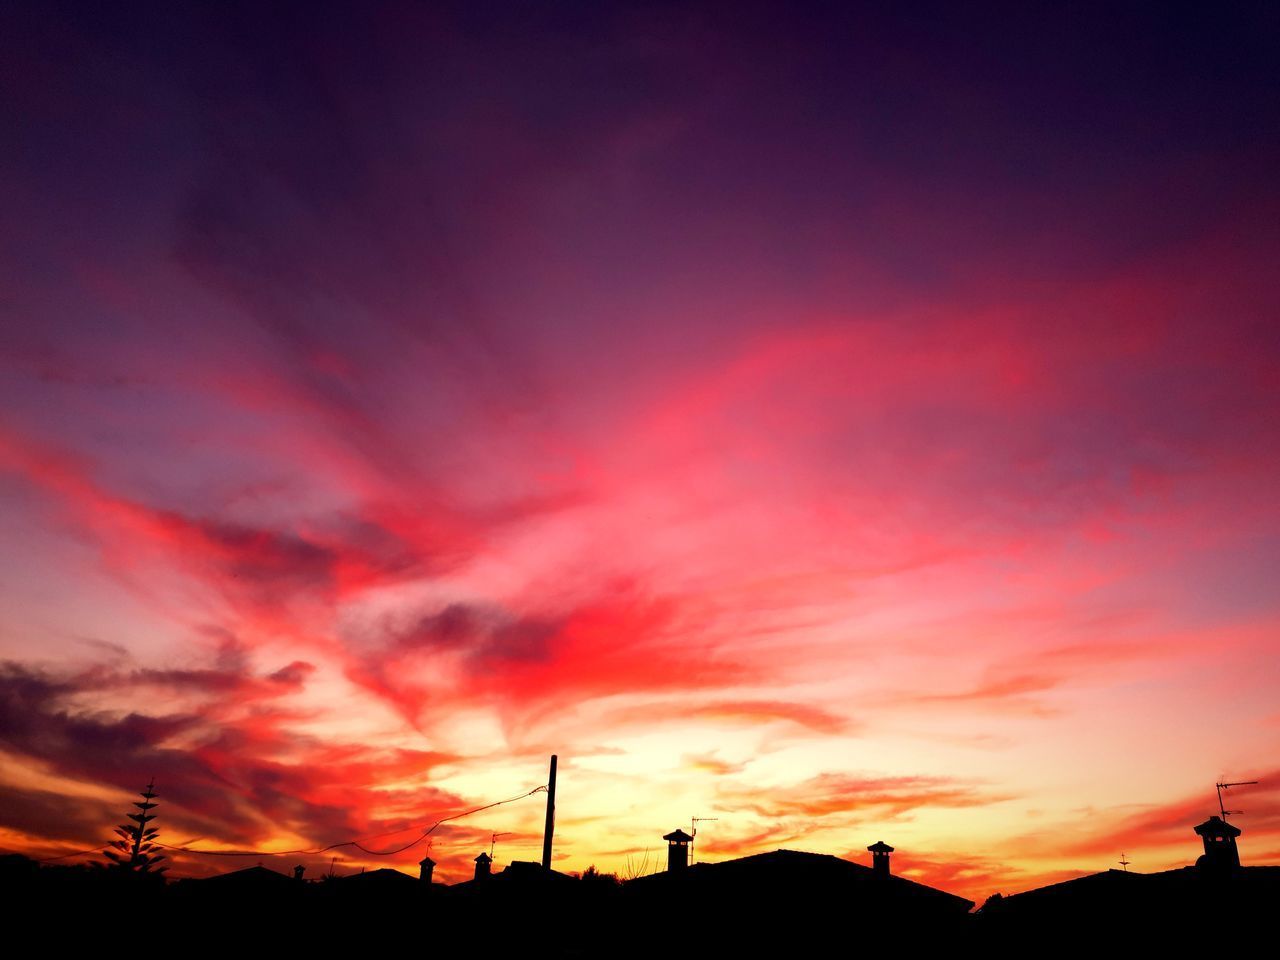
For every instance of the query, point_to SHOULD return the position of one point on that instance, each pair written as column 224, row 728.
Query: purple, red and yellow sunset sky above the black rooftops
column 844, row 422
